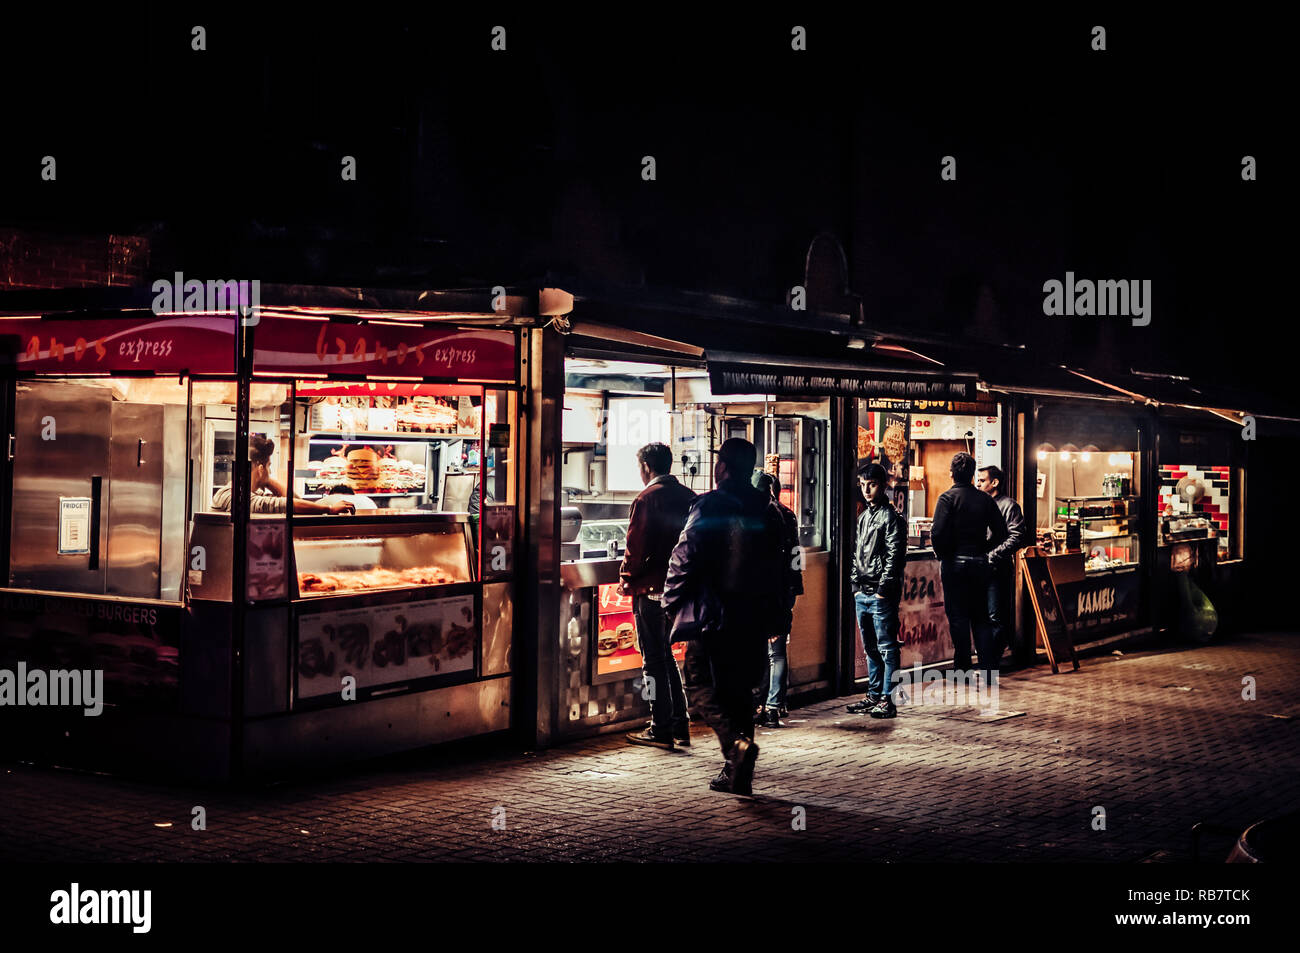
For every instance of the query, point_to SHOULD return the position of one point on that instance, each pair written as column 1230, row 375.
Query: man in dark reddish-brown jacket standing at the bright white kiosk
column 656, row 522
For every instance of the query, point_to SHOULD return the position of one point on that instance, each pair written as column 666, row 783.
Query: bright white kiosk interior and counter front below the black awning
column 610, row 410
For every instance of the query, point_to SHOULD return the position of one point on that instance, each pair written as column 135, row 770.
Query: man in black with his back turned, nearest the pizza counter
column 968, row 526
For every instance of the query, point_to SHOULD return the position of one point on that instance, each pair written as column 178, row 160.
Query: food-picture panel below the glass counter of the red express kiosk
column 383, row 646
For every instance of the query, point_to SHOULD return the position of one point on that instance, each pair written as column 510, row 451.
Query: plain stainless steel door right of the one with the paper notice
column 136, row 501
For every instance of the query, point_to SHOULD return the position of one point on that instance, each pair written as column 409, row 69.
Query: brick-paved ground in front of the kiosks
column 1160, row 740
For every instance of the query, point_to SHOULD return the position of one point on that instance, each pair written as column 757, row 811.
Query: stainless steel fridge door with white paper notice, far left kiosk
column 46, row 470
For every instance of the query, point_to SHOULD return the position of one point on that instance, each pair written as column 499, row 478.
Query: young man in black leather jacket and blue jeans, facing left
column 878, row 564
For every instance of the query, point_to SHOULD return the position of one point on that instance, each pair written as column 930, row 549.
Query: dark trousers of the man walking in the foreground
column 721, row 675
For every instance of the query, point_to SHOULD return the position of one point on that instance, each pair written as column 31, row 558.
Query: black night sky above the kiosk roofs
column 478, row 168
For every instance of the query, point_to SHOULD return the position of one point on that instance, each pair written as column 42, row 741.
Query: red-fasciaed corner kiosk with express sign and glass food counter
column 284, row 545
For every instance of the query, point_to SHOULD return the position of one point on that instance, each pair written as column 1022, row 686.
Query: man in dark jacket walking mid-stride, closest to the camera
column 730, row 565
